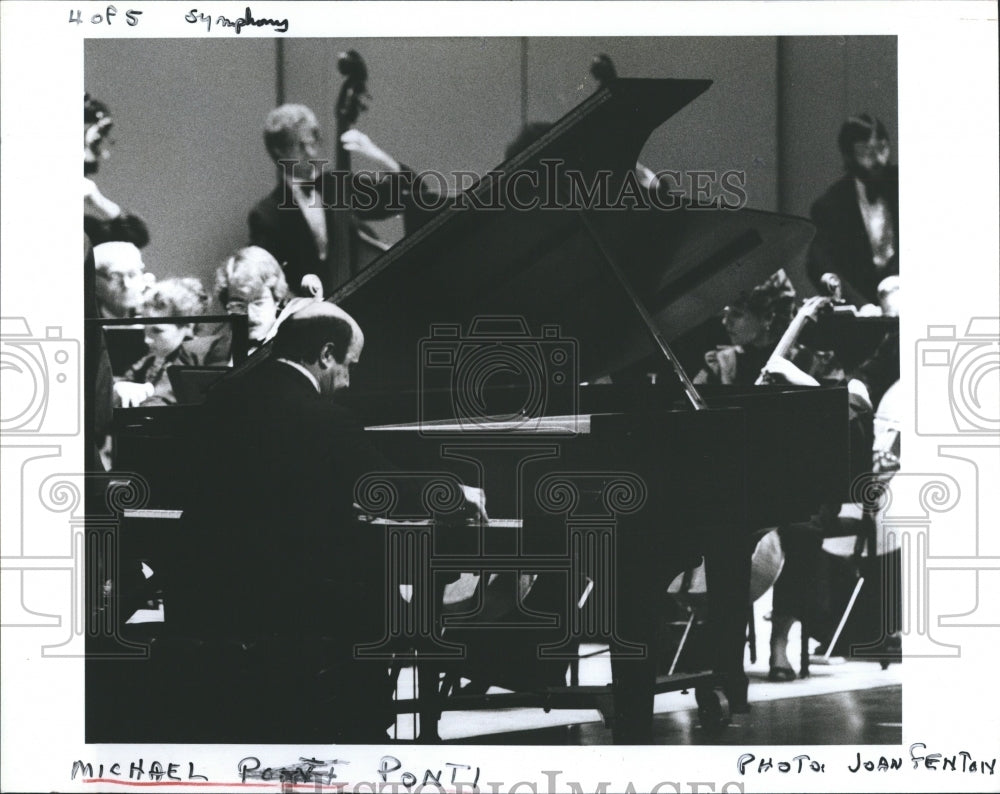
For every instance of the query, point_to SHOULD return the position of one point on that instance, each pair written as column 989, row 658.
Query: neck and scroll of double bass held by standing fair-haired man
column 353, row 247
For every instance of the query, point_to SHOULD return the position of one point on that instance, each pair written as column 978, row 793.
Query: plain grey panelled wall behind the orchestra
column 189, row 158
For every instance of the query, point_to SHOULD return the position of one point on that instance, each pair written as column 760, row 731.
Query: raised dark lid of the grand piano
column 549, row 267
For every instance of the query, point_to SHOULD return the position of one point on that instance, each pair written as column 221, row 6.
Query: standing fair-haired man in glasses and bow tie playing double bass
column 294, row 221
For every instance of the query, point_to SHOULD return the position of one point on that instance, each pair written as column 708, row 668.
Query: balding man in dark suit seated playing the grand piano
column 277, row 557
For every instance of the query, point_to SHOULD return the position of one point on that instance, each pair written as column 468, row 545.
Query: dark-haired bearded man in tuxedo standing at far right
column 857, row 219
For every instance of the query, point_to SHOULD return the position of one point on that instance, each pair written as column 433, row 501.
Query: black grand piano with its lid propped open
column 497, row 346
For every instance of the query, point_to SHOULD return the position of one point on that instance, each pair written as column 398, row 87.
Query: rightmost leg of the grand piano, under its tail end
column 727, row 571
